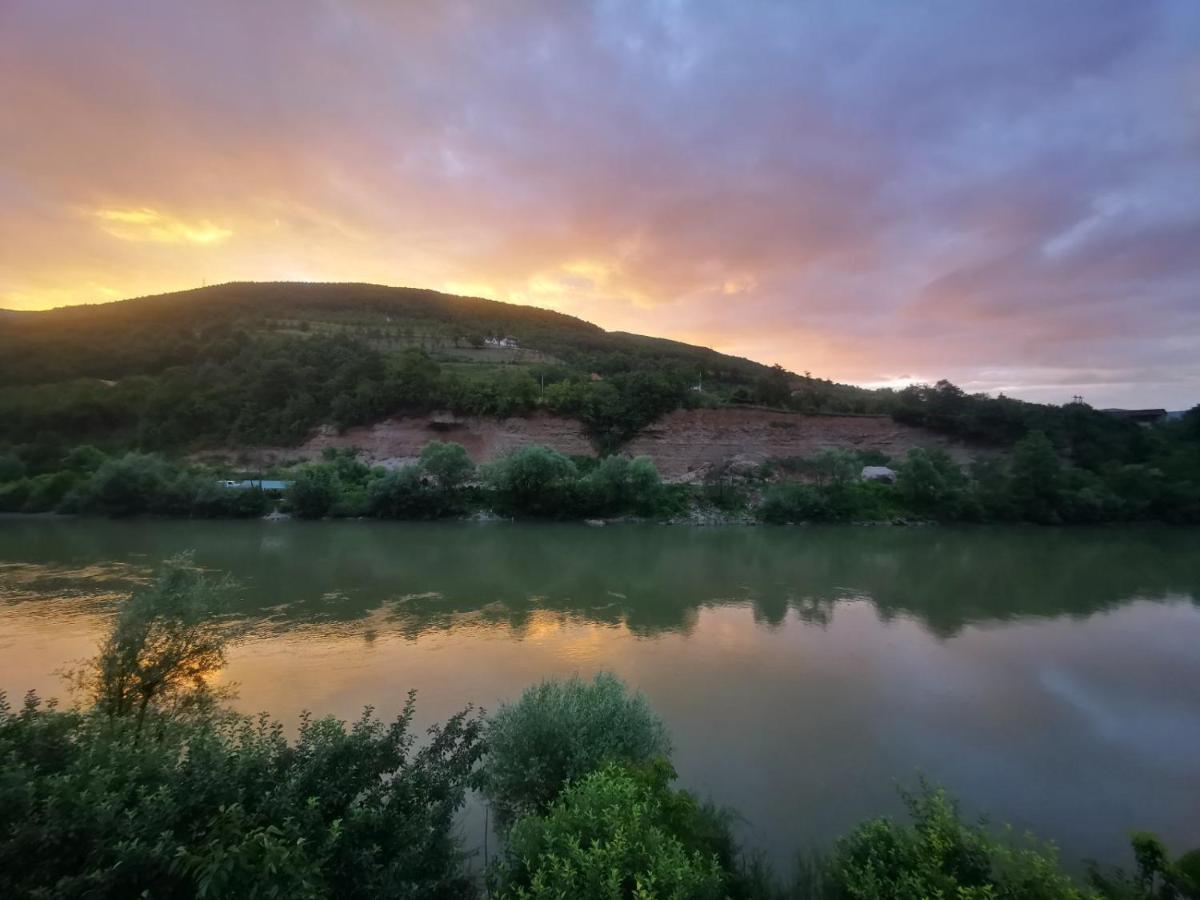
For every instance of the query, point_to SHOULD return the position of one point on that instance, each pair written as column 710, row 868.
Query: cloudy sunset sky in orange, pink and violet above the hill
column 1006, row 195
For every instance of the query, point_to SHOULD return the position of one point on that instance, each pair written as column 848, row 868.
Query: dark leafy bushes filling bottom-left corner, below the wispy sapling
column 230, row 808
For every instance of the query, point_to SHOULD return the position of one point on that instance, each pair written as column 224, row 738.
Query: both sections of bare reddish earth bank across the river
column 685, row 445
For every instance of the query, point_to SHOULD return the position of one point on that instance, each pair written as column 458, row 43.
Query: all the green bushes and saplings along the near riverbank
column 151, row 783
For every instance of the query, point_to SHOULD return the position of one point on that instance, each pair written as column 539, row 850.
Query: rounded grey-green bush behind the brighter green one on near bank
column 561, row 731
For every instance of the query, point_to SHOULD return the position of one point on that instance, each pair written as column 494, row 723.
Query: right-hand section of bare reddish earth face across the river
column 689, row 442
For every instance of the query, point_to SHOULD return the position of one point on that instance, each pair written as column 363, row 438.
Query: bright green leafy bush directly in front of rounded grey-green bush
column 611, row 836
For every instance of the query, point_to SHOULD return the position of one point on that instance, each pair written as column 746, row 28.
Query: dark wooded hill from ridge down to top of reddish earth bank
column 248, row 365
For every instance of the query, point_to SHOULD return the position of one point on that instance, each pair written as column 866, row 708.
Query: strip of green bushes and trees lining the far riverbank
column 1033, row 484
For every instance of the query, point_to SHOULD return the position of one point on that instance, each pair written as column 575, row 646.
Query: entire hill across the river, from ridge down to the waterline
column 356, row 374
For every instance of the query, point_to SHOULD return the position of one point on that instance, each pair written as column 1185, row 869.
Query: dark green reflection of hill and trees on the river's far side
column 650, row 579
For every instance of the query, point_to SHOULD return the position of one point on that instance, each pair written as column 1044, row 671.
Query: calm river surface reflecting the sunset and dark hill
column 1049, row 679
